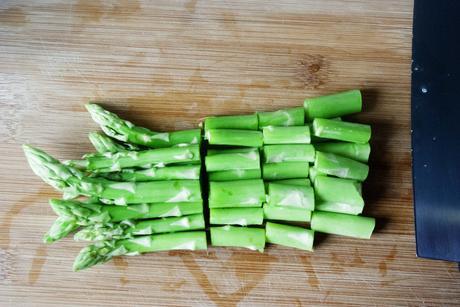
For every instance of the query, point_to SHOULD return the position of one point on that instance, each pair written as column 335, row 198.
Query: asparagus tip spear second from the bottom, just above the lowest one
column 127, row 229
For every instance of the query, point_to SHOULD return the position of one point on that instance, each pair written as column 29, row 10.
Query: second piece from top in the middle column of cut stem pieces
column 286, row 135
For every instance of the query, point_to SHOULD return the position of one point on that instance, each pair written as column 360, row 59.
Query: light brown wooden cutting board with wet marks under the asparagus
column 166, row 65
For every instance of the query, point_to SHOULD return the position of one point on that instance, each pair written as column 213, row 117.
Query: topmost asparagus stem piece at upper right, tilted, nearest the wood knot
column 334, row 105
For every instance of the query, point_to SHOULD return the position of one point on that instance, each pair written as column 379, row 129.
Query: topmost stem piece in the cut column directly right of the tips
column 243, row 122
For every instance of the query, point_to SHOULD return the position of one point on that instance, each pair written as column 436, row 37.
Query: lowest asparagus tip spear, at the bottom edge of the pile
column 101, row 252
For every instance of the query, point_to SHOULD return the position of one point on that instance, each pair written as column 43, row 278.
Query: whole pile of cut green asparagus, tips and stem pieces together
column 268, row 175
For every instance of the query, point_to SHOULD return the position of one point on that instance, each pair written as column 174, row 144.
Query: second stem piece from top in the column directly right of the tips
column 234, row 137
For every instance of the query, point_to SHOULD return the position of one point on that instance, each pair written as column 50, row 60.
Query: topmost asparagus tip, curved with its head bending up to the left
column 125, row 131
